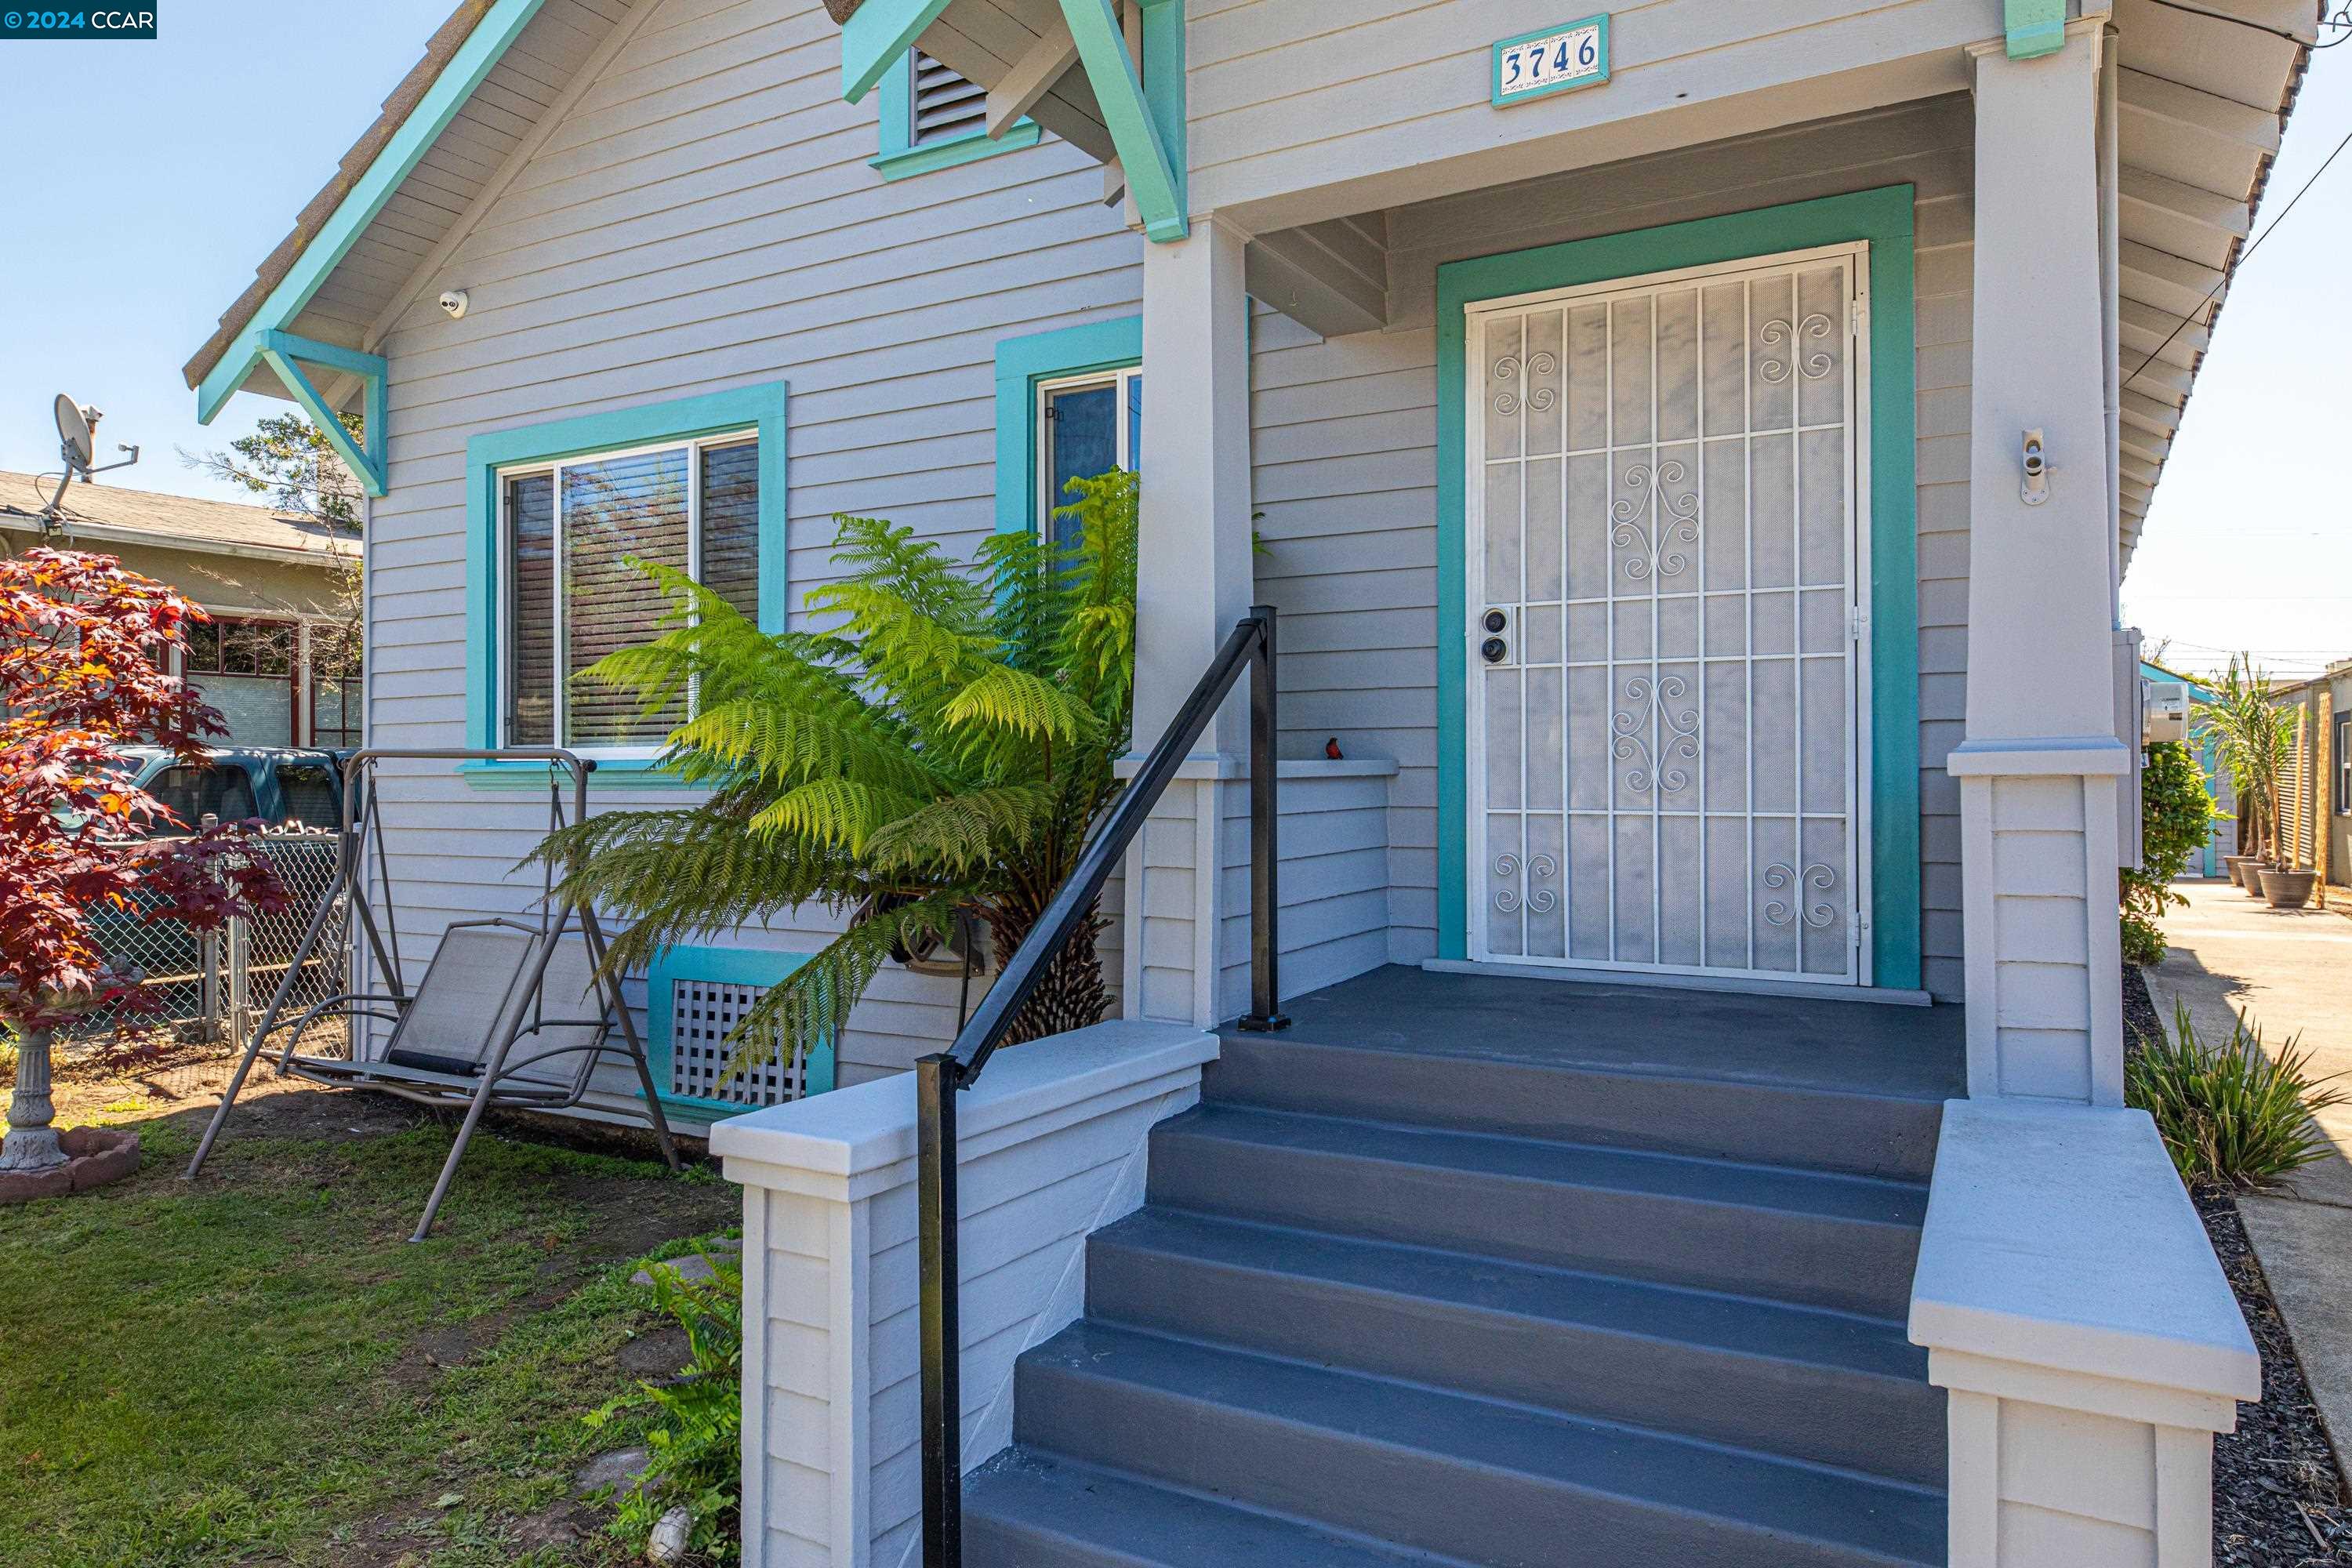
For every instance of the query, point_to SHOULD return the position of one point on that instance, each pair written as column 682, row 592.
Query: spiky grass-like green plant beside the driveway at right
column 2231, row 1113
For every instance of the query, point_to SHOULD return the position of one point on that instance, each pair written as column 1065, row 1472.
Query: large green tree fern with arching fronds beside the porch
column 942, row 751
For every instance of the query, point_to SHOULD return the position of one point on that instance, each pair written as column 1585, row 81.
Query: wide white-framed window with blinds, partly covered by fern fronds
column 570, row 532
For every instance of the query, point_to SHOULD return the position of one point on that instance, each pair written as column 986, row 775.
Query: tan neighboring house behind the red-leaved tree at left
column 281, row 655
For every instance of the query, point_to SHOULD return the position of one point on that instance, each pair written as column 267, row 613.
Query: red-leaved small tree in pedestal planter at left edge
column 81, row 676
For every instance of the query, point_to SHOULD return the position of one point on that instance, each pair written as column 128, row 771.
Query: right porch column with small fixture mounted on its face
column 2040, row 765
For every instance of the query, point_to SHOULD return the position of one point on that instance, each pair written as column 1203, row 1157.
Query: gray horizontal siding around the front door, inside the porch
column 1347, row 464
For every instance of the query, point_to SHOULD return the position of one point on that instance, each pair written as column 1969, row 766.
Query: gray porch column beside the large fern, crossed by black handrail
column 1194, row 584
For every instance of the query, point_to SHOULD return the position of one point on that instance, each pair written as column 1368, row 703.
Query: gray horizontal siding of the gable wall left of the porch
column 704, row 217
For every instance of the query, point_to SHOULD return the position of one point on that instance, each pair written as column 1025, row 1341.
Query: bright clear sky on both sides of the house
column 152, row 177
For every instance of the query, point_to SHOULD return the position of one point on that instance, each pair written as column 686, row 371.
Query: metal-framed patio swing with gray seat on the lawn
column 509, row 1014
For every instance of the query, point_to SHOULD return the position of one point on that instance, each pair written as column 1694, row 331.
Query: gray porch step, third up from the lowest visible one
column 1765, row 1376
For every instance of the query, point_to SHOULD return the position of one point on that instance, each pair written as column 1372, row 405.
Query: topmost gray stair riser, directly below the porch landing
column 1751, row 1111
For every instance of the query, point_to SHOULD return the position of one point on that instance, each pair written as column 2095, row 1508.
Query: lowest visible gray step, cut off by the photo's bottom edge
column 1038, row 1510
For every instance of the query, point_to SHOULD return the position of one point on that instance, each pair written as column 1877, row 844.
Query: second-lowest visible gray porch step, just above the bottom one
column 1443, row 1473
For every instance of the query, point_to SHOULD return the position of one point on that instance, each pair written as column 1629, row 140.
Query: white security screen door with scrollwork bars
column 1669, row 659
